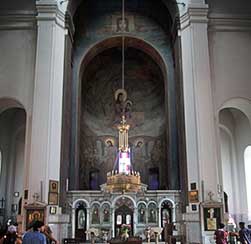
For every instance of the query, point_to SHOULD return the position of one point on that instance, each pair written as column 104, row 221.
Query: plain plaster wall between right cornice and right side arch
column 230, row 58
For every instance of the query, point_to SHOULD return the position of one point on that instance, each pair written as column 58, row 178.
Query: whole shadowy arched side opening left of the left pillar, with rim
column 12, row 144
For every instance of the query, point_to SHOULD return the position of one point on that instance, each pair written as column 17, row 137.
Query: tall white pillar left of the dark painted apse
column 47, row 100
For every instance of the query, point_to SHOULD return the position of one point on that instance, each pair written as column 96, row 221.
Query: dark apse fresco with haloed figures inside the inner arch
column 145, row 112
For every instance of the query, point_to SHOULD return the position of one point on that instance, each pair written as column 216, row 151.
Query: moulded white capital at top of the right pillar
column 196, row 13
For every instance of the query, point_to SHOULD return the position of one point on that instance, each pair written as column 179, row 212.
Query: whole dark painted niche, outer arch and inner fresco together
column 152, row 106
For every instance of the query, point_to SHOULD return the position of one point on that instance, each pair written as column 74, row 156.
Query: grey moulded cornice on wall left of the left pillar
column 17, row 20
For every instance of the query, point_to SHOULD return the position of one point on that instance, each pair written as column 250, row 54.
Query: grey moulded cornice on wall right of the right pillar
column 229, row 22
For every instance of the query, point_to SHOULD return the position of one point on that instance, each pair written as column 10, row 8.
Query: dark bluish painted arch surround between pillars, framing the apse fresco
column 97, row 30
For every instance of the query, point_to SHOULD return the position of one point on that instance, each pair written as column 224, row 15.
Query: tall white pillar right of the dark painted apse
column 199, row 112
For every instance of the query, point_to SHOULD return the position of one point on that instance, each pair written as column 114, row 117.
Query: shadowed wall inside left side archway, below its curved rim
column 12, row 134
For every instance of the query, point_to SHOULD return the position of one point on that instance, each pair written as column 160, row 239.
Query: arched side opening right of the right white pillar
column 235, row 134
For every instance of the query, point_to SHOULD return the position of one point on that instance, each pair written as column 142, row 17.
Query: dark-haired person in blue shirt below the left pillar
column 35, row 236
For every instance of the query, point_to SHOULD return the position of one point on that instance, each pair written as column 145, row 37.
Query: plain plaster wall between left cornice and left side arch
column 17, row 51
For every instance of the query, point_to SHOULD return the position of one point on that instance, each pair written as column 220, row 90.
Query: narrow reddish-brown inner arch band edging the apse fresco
column 97, row 48
